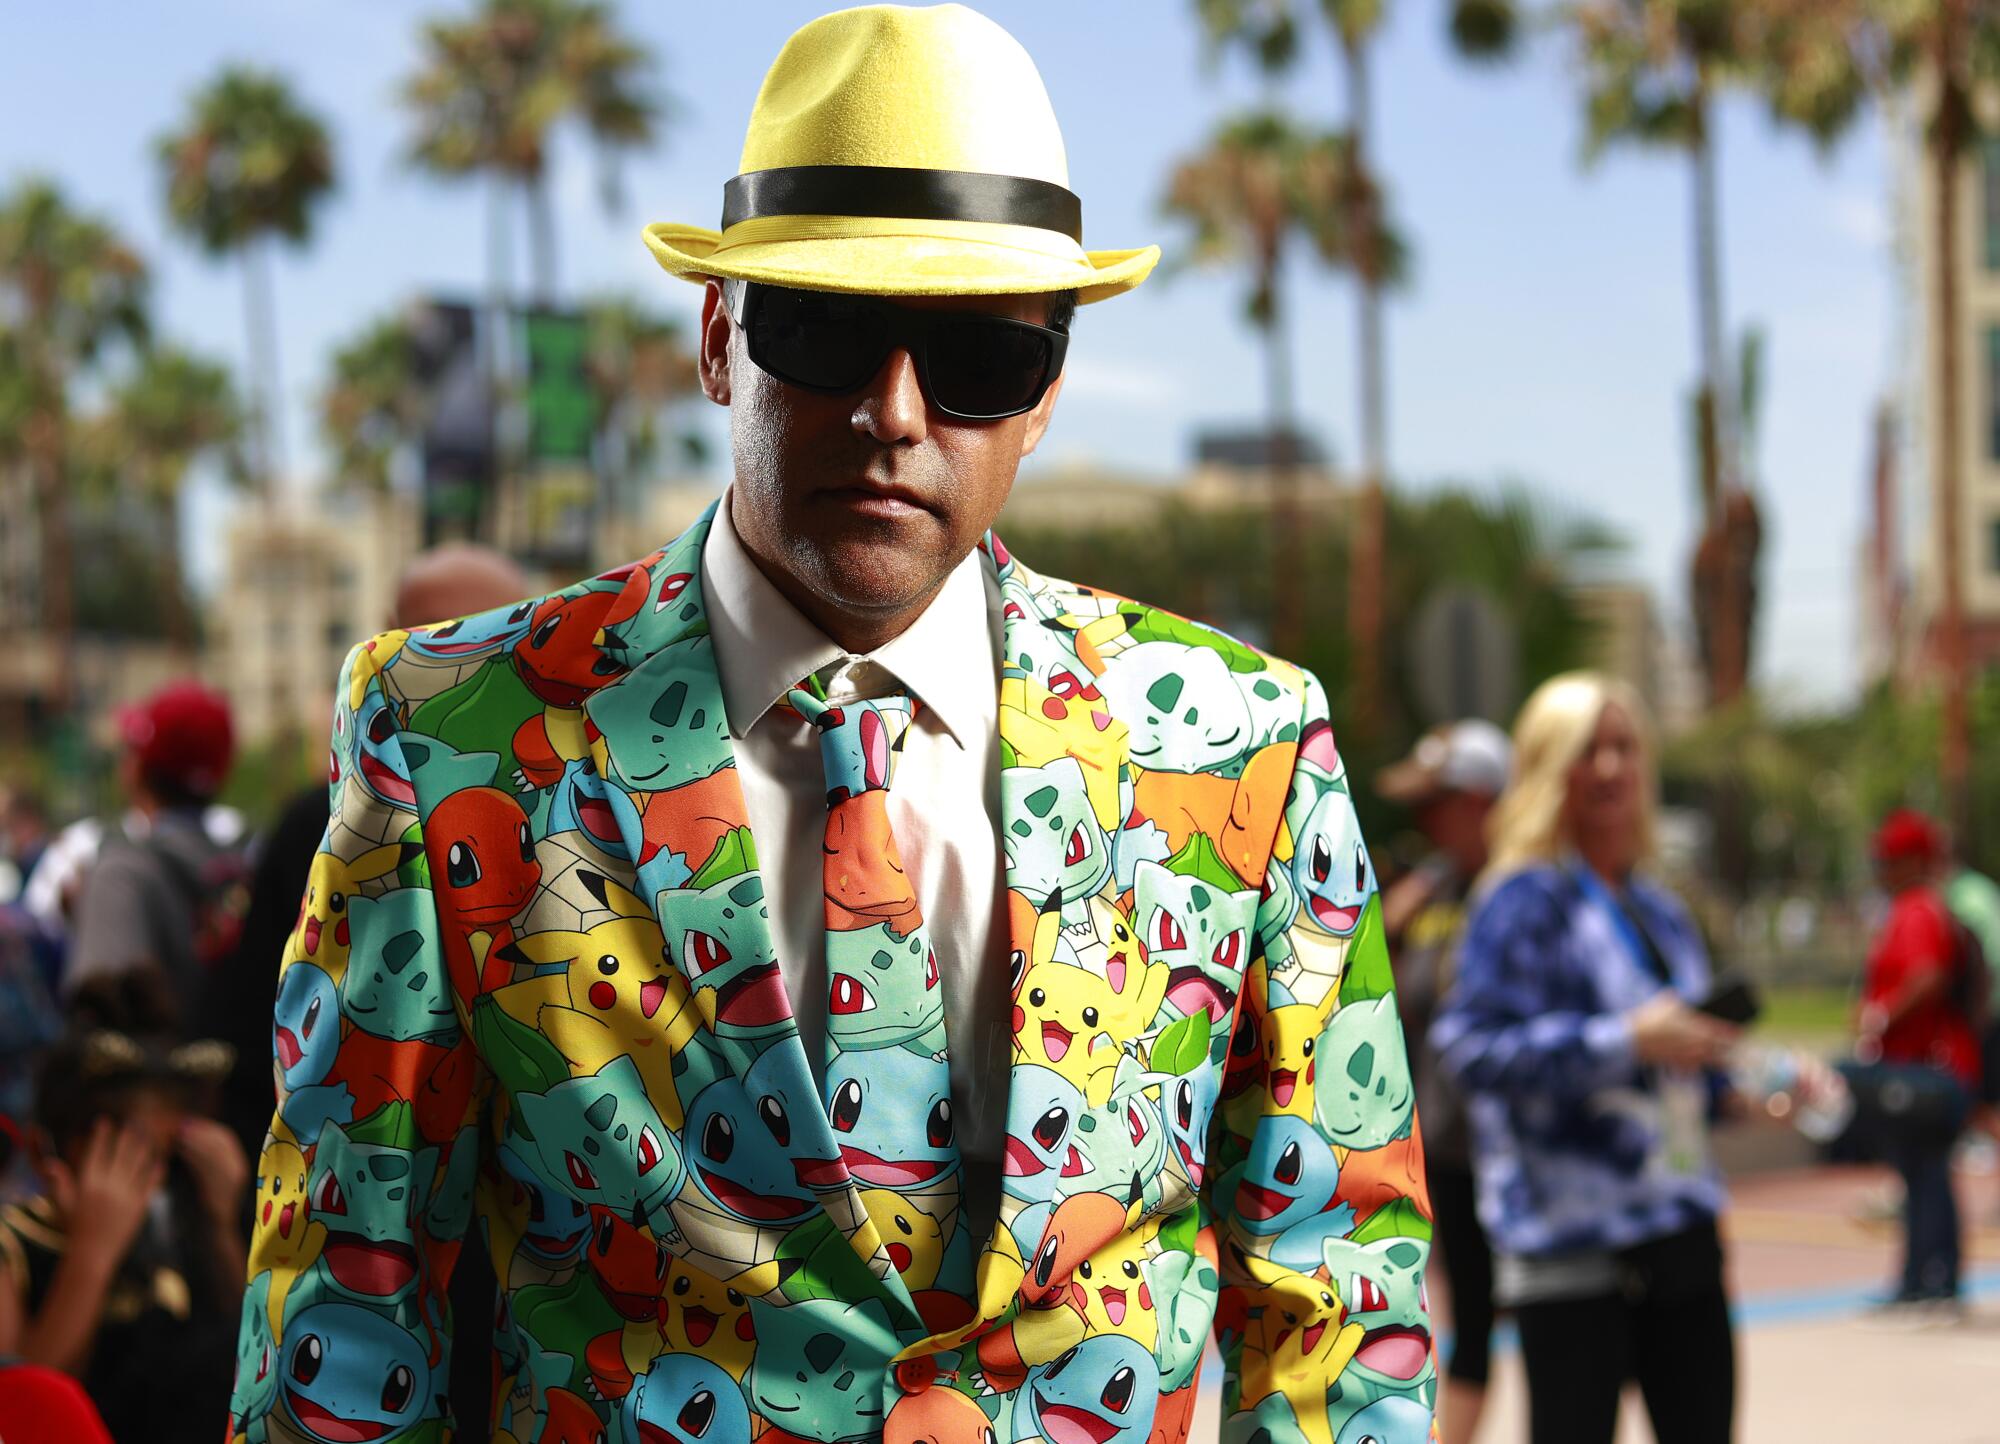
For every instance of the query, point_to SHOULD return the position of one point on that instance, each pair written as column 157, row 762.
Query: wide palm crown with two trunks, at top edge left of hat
column 499, row 83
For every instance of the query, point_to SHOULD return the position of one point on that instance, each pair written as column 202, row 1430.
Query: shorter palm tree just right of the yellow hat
column 1249, row 197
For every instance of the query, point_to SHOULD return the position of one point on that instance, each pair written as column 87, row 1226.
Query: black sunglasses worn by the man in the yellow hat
column 973, row 367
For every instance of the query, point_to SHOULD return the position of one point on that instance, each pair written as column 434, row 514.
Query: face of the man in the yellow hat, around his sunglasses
column 873, row 497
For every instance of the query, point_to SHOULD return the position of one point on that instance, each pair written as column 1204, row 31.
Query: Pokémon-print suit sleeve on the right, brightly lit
column 1321, row 1211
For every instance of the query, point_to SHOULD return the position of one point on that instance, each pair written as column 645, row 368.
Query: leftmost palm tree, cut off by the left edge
column 71, row 291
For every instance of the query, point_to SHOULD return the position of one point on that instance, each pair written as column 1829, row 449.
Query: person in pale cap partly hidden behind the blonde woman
column 1451, row 783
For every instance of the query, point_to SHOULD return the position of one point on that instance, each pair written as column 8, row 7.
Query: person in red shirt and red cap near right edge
column 1911, row 1019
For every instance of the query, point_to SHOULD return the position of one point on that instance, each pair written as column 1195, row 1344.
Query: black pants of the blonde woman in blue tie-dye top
column 1669, row 1329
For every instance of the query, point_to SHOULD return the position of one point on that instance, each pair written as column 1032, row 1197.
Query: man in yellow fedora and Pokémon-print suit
column 817, row 971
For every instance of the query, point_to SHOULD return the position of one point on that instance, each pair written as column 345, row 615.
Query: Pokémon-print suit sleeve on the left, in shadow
column 365, row 1181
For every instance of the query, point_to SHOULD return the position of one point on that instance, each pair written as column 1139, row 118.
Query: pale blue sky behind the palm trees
column 1547, row 337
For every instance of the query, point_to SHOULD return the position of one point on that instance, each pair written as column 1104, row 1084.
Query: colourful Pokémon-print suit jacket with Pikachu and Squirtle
column 533, row 1007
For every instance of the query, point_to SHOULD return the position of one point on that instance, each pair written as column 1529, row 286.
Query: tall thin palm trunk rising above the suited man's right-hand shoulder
column 1367, row 563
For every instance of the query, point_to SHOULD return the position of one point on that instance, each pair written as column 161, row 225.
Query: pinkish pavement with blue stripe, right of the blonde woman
column 1809, row 1249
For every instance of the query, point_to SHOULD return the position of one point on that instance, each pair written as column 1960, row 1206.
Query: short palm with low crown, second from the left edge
column 169, row 413
